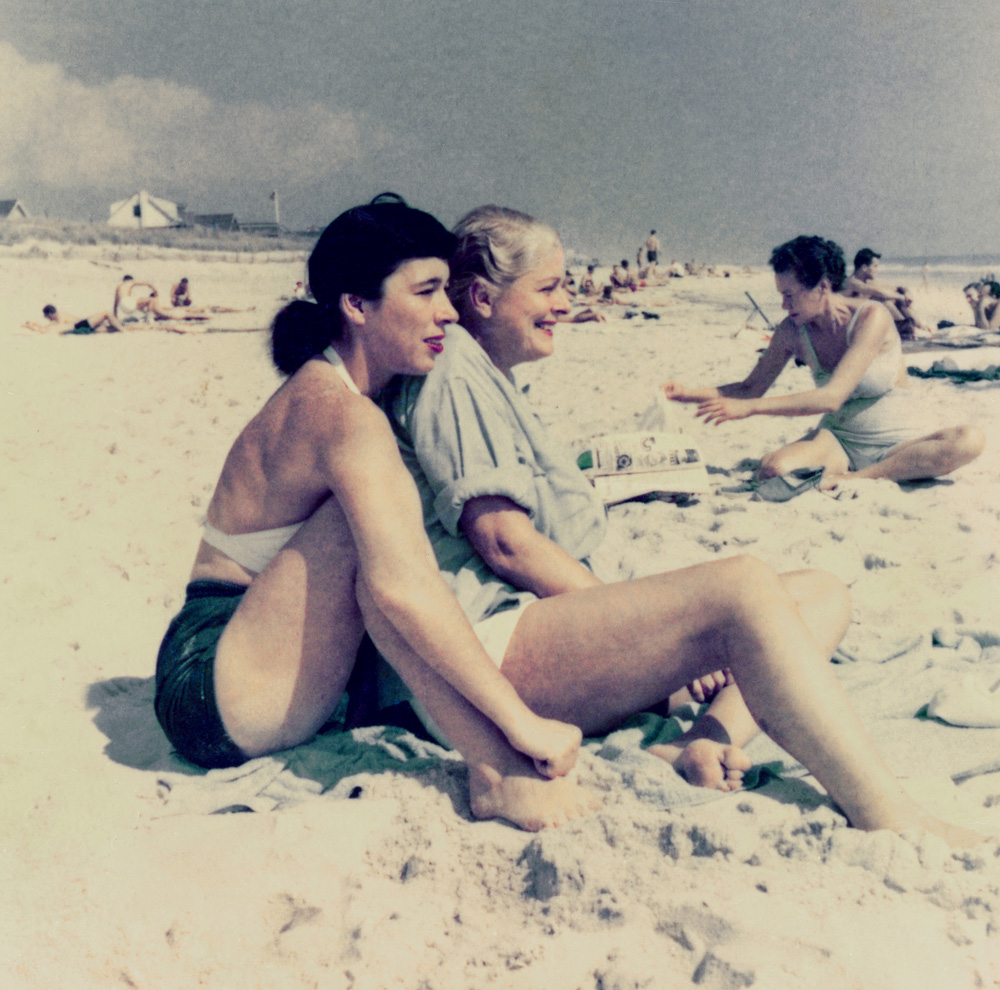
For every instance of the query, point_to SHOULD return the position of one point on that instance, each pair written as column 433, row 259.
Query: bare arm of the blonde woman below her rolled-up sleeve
column 505, row 537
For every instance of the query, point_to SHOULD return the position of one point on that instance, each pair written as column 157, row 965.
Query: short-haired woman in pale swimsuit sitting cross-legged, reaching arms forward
column 873, row 425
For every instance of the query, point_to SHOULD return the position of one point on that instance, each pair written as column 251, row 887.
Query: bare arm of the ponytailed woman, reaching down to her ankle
column 366, row 474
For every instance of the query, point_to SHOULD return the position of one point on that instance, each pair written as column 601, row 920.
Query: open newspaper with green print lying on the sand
column 656, row 459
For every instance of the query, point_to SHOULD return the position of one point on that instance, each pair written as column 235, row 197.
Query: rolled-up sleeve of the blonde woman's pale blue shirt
column 467, row 446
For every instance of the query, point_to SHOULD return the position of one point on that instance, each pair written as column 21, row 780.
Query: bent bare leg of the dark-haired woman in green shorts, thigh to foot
column 283, row 663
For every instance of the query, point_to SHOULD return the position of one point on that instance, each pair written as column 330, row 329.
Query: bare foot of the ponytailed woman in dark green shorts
column 523, row 797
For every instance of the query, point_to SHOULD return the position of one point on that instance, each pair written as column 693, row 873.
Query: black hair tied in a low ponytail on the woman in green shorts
column 355, row 254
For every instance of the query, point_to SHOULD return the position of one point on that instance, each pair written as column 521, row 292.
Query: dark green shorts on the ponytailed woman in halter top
column 185, row 675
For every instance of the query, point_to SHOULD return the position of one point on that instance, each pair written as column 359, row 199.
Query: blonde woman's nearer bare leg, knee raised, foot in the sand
column 598, row 655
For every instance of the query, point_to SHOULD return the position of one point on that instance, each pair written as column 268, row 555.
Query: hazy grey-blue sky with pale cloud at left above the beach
column 729, row 125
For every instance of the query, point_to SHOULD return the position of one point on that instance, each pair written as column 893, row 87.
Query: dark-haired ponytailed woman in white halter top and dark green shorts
column 314, row 533
